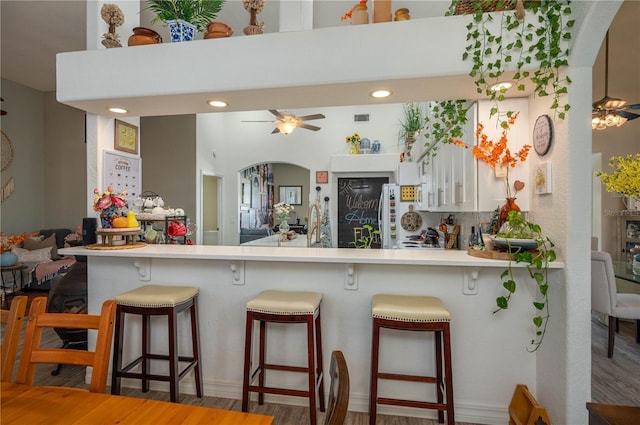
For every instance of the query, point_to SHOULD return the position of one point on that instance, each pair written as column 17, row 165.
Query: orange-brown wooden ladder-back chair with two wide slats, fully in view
column 33, row 354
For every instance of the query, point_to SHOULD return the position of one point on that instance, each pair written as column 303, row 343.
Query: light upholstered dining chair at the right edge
column 606, row 299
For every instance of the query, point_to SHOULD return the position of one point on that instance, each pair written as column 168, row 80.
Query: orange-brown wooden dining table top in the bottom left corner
column 25, row 404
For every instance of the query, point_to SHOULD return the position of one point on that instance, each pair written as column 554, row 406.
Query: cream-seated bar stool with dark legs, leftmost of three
column 157, row 300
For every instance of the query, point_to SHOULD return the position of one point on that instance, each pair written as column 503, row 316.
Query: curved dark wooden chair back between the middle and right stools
column 338, row 390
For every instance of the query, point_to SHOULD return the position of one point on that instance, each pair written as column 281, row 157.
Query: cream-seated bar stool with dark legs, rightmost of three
column 413, row 313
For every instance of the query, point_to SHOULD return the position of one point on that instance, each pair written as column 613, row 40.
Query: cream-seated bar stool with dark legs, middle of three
column 284, row 307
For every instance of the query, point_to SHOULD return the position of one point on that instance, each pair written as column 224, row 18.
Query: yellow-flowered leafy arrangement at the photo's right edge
column 625, row 177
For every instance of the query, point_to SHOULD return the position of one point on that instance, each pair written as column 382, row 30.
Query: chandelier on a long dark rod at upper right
column 610, row 111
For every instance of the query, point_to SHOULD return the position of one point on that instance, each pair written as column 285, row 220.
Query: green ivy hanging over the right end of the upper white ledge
column 542, row 36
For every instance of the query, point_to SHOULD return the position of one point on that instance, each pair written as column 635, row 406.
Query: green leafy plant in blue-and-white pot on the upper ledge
column 185, row 17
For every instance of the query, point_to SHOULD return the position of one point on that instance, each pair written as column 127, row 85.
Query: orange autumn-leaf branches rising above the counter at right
column 497, row 154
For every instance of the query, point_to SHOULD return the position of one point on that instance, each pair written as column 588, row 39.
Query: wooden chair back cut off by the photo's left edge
column 13, row 319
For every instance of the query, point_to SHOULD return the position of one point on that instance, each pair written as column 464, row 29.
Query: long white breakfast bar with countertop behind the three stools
column 486, row 347
